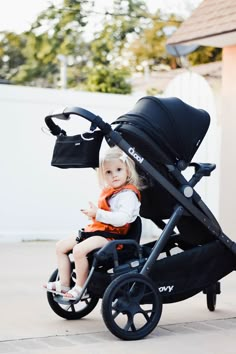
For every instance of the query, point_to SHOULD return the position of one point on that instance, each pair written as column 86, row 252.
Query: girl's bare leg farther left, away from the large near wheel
column 63, row 261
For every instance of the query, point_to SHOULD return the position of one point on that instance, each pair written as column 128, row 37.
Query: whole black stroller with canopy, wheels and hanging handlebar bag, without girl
column 192, row 253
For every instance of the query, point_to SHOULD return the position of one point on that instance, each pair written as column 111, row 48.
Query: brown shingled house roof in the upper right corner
column 213, row 23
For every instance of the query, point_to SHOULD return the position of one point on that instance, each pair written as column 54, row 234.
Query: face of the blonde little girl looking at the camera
column 115, row 173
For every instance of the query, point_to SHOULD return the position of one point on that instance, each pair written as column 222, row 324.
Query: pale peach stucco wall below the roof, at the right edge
column 228, row 149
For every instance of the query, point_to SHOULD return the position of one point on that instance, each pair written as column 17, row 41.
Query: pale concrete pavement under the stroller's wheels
column 28, row 325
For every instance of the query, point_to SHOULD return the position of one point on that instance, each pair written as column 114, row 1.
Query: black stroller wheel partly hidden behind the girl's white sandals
column 70, row 311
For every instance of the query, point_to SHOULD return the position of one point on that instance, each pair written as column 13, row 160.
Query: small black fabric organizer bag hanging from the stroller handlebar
column 78, row 151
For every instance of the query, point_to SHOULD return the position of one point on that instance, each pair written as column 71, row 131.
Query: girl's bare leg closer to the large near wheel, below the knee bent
column 80, row 252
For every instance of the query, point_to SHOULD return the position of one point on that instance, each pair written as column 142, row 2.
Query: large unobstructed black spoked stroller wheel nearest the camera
column 131, row 306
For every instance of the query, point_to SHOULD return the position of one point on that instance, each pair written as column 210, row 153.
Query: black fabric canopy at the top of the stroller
column 175, row 126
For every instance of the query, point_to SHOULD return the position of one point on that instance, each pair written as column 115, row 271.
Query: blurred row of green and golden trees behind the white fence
column 129, row 38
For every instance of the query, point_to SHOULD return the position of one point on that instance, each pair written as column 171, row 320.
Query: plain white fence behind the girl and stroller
column 37, row 200
